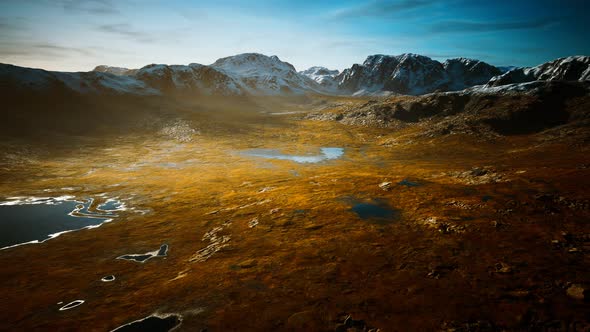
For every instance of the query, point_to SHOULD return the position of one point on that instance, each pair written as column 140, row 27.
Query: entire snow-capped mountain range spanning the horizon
column 257, row 74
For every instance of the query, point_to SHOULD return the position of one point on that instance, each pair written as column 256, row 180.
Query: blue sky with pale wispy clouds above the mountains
column 70, row 35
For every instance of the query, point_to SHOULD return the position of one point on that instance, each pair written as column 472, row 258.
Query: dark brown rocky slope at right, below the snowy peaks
column 555, row 108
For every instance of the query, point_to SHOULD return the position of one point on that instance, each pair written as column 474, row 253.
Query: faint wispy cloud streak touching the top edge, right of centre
column 381, row 8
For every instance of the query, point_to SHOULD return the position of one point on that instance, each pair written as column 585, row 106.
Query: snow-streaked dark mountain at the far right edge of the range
column 573, row 68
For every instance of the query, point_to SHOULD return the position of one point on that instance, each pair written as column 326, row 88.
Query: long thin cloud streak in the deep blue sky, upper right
column 478, row 26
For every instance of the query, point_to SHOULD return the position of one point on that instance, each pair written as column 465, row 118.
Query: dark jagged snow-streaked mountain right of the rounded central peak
column 413, row 74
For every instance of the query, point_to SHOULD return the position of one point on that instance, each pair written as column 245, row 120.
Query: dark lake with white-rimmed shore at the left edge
column 34, row 220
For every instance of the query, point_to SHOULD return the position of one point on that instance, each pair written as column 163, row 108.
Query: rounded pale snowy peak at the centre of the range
column 259, row 74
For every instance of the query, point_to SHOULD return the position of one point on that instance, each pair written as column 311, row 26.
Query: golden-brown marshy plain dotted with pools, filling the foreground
column 276, row 222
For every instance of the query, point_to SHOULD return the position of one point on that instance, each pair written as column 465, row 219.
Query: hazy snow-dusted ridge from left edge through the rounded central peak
column 249, row 73
